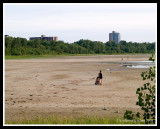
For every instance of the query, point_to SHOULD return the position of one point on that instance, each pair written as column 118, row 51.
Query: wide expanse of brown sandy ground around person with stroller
column 65, row 86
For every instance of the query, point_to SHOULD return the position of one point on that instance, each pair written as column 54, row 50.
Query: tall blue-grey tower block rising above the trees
column 114, row 36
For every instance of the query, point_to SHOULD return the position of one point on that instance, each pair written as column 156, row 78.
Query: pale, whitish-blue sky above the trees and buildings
column 70, row 22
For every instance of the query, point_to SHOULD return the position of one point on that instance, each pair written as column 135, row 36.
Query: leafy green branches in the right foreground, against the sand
column 146, row 96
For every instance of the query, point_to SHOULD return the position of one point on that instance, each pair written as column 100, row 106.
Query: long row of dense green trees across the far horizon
column 22, row 46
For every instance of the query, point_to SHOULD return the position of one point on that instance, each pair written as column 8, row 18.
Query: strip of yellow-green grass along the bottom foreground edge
column 73, row 120
